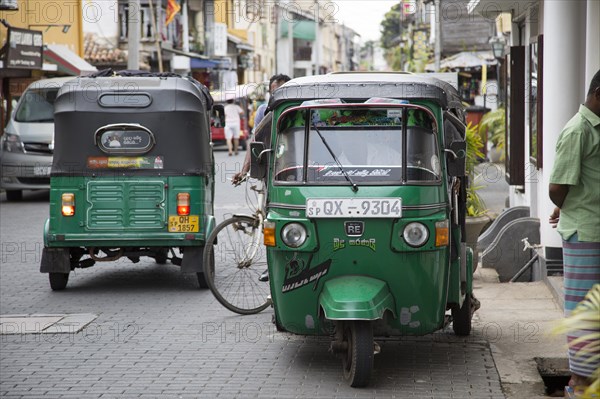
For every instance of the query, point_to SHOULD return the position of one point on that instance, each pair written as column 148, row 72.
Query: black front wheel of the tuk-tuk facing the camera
column 357, row 360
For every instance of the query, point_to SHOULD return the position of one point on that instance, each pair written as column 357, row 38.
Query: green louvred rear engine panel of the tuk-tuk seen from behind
column 127, row 205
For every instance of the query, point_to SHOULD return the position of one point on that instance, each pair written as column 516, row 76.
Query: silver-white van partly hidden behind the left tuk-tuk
column 27, row 145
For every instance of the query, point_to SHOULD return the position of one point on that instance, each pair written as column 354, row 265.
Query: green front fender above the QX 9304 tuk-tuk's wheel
column 356, row 298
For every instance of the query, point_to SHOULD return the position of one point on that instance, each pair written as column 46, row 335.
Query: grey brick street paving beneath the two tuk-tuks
column 158, row 336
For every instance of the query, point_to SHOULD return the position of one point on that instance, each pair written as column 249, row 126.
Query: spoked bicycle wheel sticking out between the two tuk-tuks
column 234, row 258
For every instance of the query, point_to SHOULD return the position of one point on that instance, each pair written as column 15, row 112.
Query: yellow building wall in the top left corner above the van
column 41, row 15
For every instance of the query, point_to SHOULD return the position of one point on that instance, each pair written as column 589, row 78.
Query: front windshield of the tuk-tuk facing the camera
column 365, row 141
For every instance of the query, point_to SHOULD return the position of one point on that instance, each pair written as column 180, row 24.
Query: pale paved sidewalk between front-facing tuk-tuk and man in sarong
column 516, row 320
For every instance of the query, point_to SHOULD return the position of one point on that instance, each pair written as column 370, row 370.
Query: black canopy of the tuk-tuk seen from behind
column 174, row 110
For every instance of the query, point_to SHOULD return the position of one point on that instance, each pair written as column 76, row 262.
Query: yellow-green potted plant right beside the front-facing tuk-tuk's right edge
column 477, row 217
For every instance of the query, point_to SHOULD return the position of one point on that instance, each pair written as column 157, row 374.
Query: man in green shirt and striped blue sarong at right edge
column 575, row 190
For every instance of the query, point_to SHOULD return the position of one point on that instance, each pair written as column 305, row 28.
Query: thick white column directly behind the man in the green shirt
column 564, row 51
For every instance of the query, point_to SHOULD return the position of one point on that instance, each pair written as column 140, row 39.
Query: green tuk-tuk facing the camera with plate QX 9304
column 365, row 211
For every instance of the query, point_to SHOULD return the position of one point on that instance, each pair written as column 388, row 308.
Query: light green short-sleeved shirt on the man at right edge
column 577, row 164
